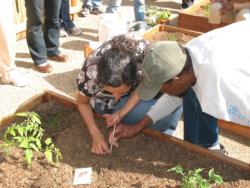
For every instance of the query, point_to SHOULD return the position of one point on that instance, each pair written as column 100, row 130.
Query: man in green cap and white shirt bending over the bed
column 208, row 75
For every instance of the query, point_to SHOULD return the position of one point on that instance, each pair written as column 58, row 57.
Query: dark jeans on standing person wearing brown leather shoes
column 43, row 40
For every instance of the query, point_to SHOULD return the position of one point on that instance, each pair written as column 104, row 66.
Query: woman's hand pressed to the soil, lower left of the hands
column 100, row 146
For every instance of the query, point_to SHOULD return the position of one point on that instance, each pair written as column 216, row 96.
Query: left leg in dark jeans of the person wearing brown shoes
column 34, row 33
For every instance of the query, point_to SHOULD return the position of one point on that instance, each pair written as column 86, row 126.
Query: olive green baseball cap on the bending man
column 163, row 61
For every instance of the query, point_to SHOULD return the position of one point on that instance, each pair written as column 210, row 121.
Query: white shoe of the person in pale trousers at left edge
column 16, row 78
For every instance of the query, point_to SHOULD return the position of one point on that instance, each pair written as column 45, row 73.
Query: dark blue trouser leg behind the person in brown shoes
column 65, row 20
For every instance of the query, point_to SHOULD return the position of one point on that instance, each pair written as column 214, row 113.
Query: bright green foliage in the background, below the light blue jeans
column 154, row 15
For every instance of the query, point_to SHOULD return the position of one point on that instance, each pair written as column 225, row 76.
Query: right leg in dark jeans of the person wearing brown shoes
column 52, row 26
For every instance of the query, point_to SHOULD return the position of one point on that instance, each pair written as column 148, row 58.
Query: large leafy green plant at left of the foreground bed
column 28, row 135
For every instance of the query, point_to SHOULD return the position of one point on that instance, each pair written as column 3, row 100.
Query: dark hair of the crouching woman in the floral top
column 117, row 67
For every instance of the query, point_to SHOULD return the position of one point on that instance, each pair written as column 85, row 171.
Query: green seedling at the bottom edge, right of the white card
column 194, row 179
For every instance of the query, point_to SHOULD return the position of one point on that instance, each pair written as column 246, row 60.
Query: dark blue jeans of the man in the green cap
column 199, row 127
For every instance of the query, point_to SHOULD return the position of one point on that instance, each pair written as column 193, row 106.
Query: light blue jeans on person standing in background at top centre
column 139, row 8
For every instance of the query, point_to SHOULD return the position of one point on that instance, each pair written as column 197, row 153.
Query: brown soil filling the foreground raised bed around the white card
column 138, row 162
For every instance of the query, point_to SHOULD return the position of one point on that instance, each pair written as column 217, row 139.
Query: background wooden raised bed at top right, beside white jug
column 196, row 17
